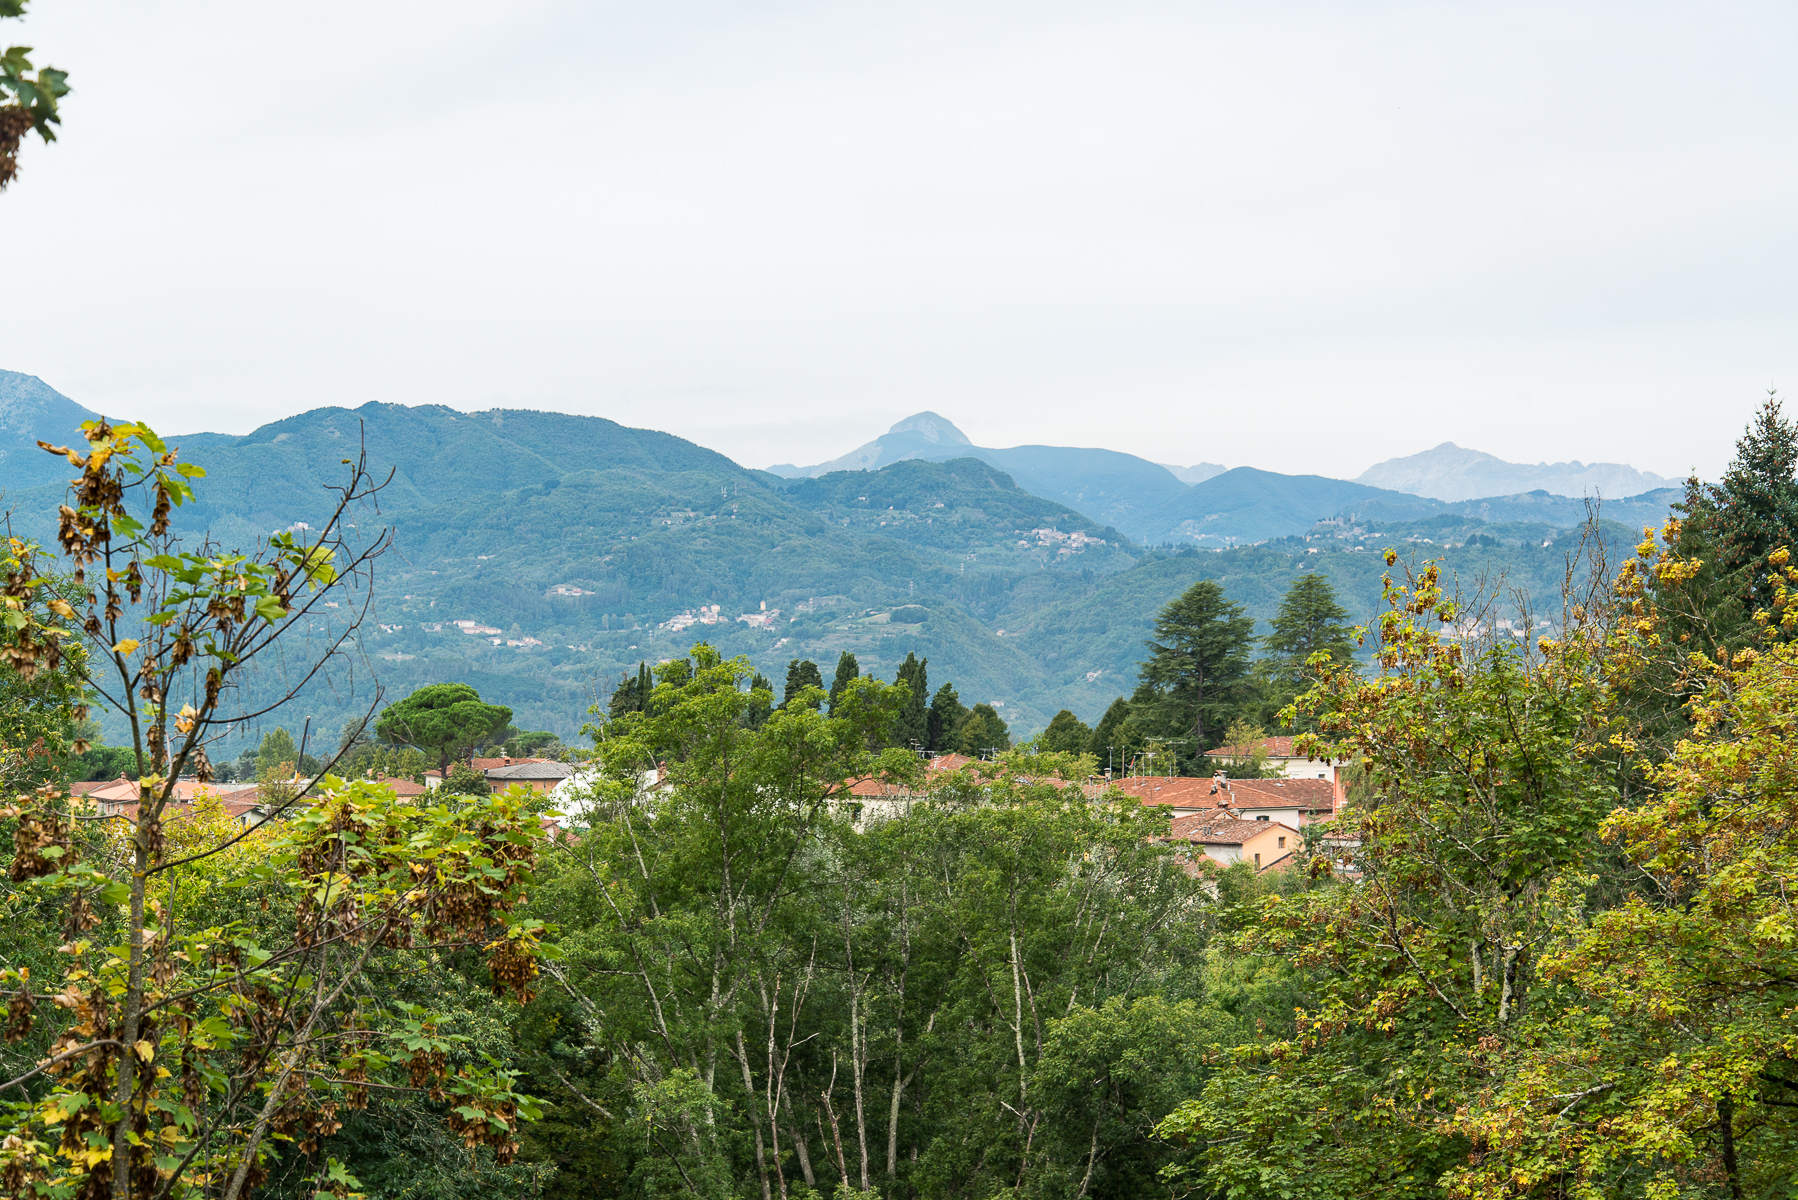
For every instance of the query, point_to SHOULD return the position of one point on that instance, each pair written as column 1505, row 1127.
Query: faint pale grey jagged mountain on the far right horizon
column 1454, row 472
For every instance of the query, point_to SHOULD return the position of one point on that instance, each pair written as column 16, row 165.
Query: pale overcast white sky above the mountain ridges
column 1297, row 237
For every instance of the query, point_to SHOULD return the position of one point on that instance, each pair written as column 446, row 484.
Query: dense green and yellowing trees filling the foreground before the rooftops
column 1549, row 949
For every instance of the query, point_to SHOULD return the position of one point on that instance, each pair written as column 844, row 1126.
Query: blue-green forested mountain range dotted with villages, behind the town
column 573, row 548
